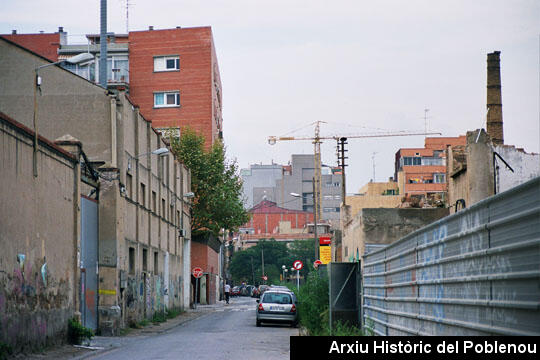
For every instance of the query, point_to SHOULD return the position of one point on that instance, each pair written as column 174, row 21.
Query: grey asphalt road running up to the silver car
column 227, row 332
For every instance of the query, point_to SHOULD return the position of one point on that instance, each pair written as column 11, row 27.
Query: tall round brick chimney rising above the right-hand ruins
column 494, row 99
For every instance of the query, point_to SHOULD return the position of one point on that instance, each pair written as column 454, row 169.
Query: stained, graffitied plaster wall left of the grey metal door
column 38, row 220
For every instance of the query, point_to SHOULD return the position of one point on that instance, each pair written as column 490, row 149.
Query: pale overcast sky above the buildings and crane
column 359, row 66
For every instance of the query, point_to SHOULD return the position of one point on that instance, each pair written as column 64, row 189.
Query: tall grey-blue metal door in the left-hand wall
column 89, row 262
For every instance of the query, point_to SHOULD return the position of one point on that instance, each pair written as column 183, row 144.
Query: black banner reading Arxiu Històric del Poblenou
column 356, row 347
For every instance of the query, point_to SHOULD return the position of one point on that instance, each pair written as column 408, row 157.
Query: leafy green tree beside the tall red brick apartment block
column 215, row 182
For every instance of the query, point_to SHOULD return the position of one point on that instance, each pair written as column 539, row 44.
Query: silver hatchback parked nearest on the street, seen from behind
column 278, row 307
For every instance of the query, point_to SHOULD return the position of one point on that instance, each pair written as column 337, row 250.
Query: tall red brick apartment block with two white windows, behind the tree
column 174, row 78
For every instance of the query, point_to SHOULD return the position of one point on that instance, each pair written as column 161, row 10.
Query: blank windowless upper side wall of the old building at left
column 67, row 104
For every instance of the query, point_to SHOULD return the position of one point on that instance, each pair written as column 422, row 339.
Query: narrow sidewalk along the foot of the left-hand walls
column 102, row 344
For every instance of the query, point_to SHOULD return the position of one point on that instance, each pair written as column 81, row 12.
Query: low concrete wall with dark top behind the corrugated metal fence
column 384, row 226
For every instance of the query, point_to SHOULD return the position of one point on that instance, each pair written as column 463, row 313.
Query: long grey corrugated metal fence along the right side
column 476, row 272
